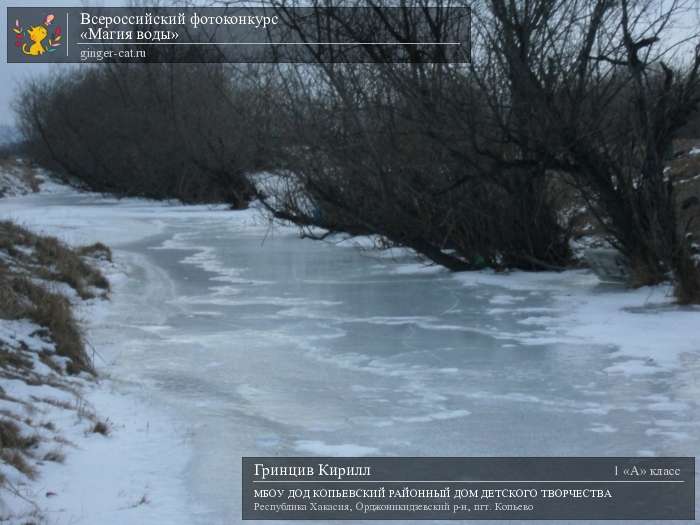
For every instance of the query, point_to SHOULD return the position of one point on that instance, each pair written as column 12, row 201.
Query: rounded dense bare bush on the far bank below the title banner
column 182, row 131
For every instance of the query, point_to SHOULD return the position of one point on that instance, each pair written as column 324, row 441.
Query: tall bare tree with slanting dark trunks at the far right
column 584, row 88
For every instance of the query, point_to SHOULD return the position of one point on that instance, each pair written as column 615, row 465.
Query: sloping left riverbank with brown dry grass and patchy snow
column 44, row 366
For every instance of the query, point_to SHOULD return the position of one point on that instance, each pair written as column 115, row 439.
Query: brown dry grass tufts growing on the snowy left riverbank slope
column 29, row 265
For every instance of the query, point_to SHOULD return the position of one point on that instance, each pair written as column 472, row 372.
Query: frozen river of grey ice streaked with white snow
column 263, row 344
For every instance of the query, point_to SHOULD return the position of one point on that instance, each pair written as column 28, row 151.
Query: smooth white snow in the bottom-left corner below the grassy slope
column 128, row 475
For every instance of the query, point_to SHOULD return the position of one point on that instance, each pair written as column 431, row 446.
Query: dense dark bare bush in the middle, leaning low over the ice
column 395, row 149
